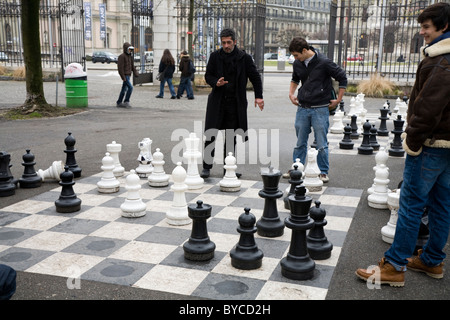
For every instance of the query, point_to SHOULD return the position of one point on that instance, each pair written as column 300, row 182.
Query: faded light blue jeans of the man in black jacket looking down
column 318, row 119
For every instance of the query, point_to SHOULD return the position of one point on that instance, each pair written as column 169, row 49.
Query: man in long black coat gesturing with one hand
column 227, row 72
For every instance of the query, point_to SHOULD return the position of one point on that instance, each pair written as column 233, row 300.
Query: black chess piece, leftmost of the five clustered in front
column 199, row 247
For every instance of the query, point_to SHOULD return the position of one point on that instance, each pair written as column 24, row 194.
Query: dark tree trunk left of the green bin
column 35, row 99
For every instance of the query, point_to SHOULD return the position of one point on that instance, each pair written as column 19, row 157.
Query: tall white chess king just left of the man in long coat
column 192, row 155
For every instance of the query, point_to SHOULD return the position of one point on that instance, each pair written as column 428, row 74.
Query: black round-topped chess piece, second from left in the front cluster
column 246, row 255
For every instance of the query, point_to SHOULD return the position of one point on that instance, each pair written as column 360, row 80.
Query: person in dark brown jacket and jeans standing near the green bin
column 125, row 67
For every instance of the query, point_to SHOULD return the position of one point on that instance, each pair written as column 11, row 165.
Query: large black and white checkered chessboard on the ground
column 97, row 243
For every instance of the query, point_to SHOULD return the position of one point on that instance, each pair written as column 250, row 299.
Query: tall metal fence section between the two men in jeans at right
column 381, row 38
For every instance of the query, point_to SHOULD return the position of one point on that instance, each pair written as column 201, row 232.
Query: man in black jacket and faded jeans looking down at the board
column 314, row 99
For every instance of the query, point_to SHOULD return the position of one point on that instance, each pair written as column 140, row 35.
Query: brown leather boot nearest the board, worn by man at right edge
column 385, row 273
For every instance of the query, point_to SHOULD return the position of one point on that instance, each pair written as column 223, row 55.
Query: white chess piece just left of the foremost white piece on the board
column 133, row 206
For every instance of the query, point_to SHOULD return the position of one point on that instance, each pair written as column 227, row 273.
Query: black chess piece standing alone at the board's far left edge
column 68, row 201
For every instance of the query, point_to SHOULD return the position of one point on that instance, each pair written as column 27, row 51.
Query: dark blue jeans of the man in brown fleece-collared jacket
column 426, row 182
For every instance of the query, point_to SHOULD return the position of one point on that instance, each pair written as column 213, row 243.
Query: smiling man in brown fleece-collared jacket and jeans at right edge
column 426, row 177
